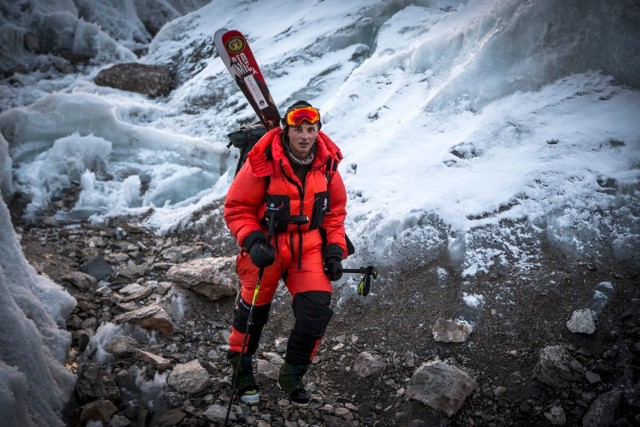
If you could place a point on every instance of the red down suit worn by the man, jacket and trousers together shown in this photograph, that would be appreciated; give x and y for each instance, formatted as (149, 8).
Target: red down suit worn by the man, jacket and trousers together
(266, 186)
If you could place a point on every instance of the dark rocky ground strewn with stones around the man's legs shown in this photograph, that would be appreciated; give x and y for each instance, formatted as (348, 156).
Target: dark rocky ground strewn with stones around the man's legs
(112, 270)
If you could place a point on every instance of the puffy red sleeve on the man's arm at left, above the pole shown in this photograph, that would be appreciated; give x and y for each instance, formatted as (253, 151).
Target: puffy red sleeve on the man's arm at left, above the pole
(243, 202)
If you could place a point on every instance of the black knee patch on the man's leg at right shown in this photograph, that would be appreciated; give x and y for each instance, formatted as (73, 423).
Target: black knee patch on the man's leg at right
(313, 312)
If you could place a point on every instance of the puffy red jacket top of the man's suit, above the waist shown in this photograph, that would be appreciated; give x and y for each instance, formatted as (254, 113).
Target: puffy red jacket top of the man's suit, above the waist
(267, 180)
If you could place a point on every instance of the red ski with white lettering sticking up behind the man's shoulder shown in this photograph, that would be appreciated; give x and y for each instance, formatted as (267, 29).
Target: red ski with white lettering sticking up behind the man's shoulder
(233, 48)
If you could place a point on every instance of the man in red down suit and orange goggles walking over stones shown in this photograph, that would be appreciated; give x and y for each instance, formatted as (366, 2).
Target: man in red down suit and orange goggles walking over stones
(290, 180)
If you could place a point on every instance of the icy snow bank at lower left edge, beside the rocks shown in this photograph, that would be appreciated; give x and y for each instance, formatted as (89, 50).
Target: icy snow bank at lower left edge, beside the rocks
(34, 383)
